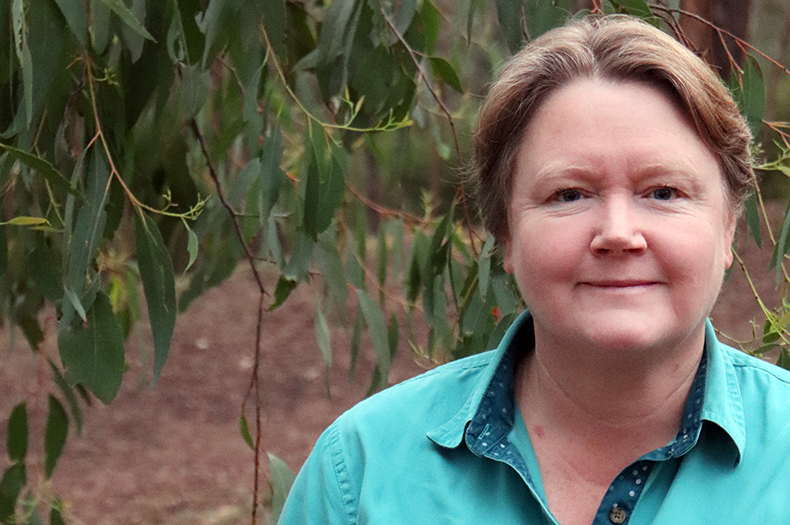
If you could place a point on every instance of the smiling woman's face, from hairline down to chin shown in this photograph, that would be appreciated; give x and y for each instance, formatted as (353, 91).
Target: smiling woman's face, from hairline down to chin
(619, 224)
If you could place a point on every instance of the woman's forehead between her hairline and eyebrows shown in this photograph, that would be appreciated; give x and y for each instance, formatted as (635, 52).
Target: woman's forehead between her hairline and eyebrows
(619, 125)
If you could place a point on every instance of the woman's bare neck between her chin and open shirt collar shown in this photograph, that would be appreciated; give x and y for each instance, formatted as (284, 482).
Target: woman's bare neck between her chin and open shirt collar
(629, 402)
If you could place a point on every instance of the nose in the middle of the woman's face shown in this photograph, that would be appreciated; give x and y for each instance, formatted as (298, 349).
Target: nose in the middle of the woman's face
(618, 229)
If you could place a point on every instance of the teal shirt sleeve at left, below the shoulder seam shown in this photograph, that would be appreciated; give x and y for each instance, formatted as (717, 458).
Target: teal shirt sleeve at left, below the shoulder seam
(321, 492)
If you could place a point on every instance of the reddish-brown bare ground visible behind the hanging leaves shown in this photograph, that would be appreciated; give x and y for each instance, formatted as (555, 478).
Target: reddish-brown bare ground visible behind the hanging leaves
(174, 454)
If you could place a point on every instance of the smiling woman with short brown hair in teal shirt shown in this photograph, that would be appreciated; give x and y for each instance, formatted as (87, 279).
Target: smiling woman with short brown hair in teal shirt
(611, 166)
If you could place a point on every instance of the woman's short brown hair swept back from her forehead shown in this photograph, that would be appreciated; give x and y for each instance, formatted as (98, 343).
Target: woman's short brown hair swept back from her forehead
(619, 48)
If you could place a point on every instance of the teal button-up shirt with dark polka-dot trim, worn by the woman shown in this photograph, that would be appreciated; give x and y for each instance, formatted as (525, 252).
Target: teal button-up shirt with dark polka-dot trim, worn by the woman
(449, 446)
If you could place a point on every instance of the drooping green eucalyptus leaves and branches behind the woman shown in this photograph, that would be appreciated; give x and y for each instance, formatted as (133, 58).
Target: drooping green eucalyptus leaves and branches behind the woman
(155, 142)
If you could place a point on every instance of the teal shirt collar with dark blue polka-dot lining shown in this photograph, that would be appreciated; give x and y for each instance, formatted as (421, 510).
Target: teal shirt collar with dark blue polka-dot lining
(487, 416)
